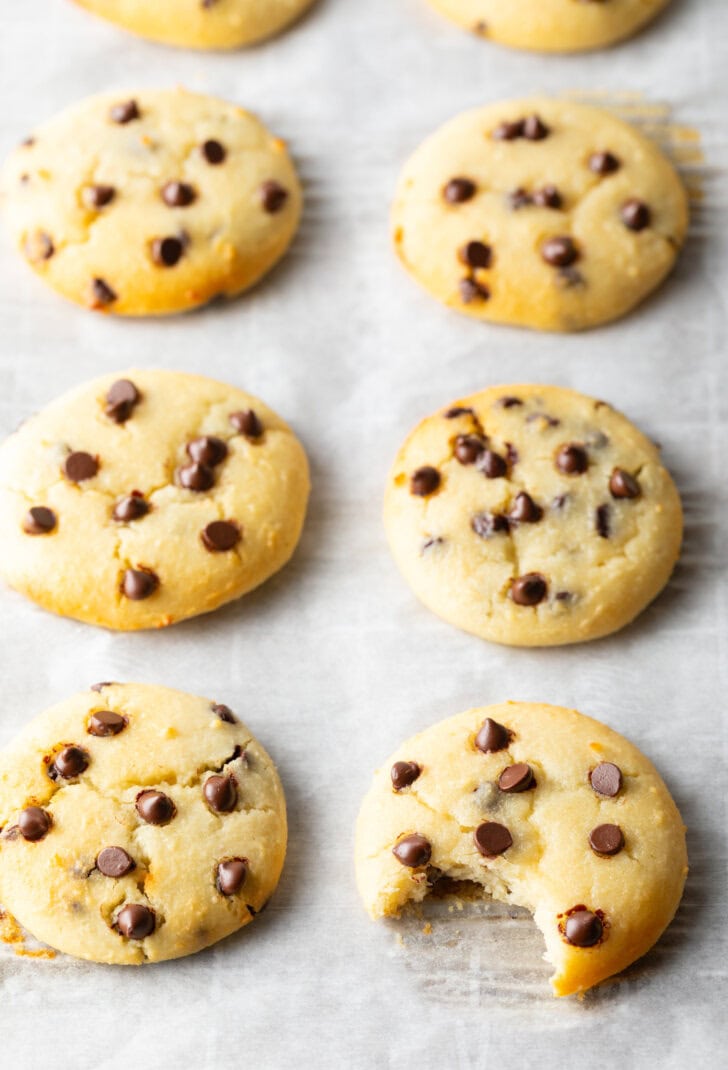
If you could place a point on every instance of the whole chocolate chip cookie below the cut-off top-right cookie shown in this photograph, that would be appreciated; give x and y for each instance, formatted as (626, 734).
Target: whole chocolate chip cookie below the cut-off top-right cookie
(539, 213)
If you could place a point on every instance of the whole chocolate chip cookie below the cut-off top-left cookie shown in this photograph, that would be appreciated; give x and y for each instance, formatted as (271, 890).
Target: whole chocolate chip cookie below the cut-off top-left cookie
(151, 203)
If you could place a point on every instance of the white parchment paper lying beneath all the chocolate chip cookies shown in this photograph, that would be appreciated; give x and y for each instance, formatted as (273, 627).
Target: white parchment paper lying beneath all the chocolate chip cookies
(333, 663)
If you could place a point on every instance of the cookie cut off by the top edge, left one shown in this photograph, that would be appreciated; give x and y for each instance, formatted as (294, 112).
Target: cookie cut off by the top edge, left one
(201, 24)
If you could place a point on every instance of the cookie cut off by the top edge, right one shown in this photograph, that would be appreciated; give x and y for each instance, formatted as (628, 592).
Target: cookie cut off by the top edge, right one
(553, 26)
